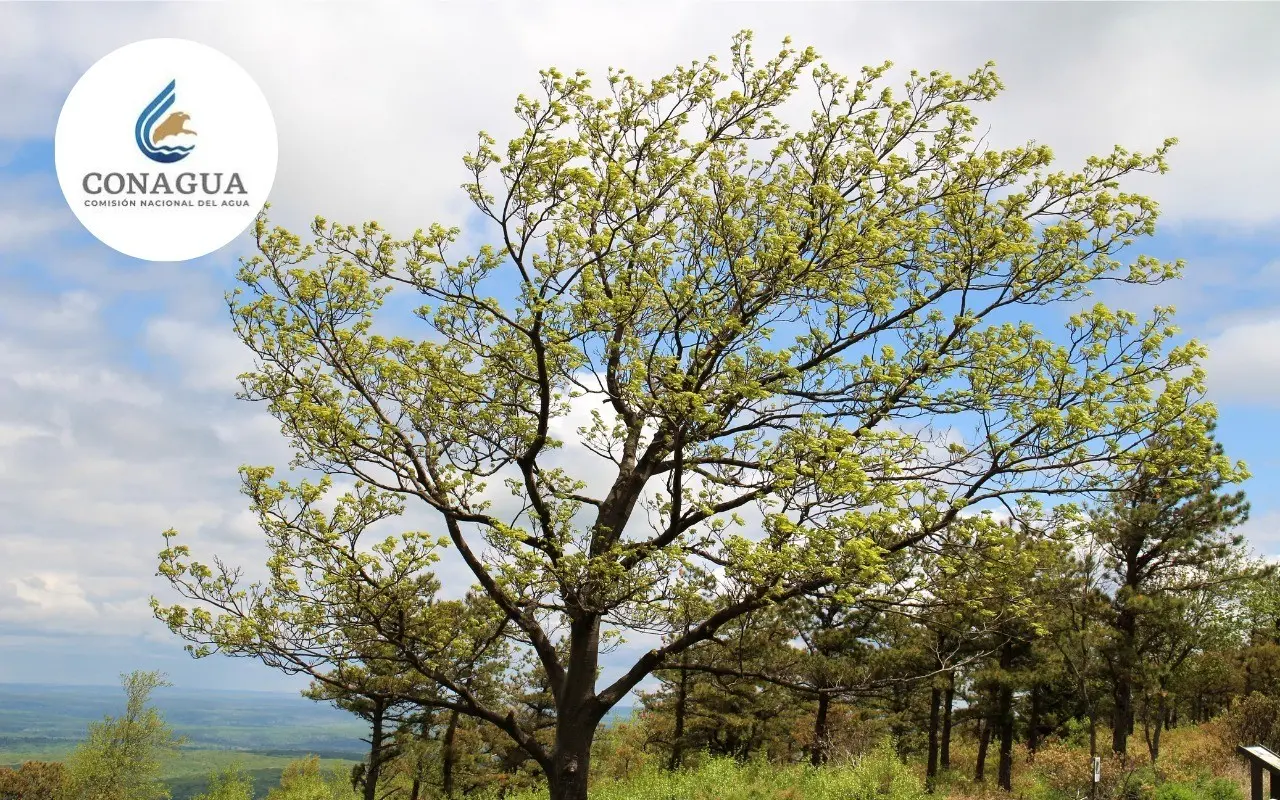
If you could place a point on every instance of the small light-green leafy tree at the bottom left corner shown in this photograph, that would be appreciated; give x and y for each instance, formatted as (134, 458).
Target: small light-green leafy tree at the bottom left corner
(124, 757)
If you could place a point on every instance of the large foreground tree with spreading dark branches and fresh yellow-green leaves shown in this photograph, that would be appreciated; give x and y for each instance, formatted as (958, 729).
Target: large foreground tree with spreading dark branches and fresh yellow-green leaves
(757, 318)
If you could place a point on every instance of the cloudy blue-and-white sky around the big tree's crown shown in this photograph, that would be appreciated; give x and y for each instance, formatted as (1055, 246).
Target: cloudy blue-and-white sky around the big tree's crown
(117, 377)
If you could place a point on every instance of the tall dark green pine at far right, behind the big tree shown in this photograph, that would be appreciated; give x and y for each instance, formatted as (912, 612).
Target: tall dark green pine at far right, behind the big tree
(1171, 546)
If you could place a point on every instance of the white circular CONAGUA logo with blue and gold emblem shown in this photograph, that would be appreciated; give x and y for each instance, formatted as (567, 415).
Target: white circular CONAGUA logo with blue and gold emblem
(166, 150)
